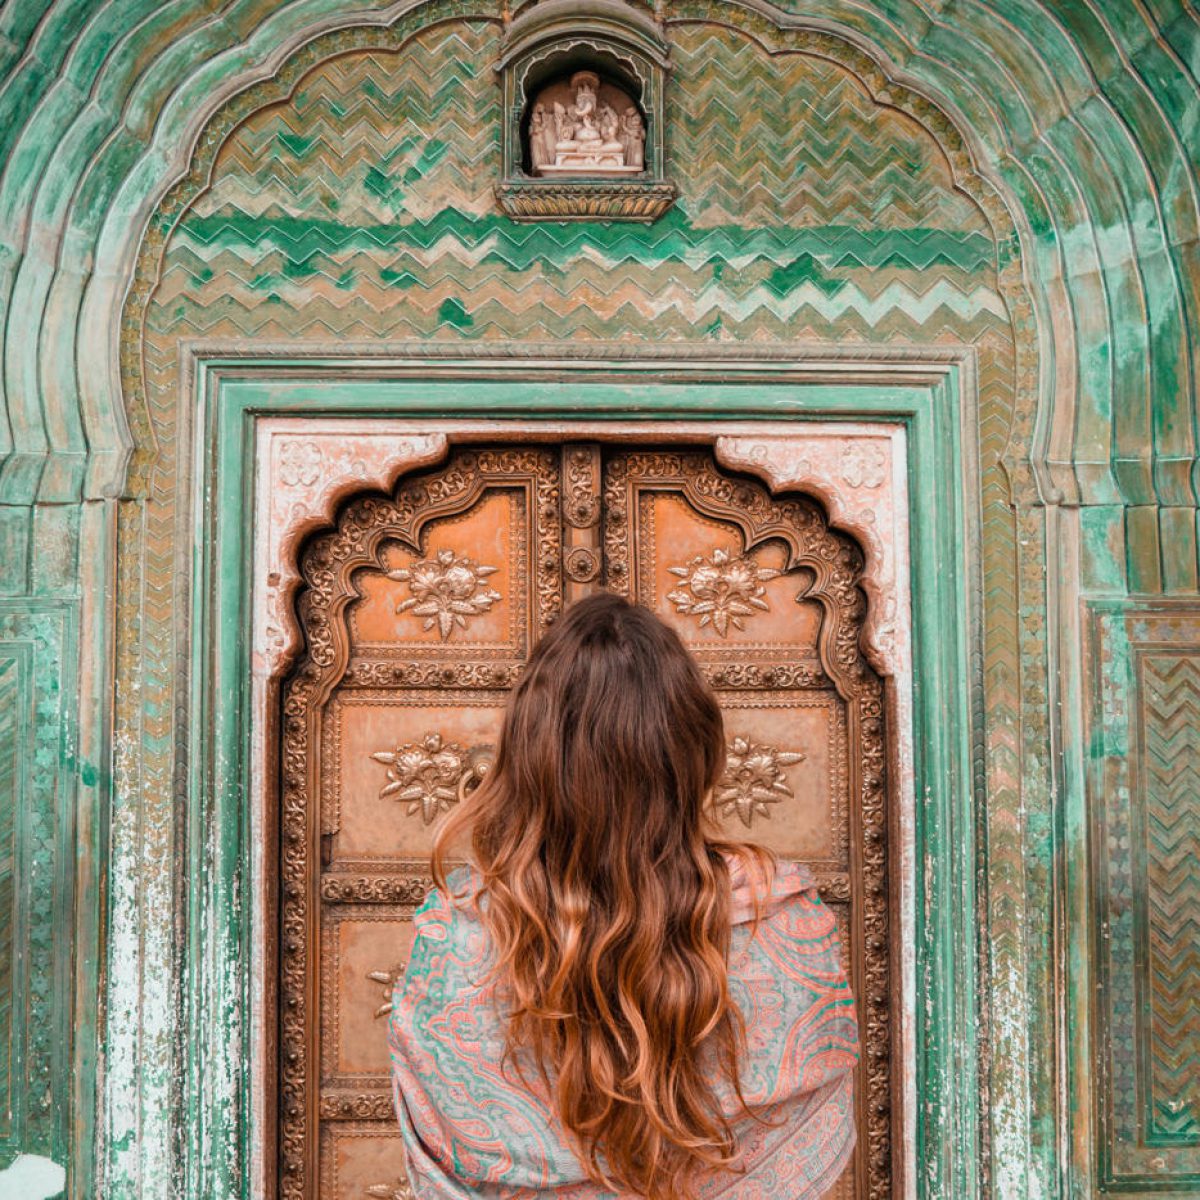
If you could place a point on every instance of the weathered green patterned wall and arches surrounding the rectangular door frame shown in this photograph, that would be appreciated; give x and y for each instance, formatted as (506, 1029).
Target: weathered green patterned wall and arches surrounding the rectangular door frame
(1018, 178)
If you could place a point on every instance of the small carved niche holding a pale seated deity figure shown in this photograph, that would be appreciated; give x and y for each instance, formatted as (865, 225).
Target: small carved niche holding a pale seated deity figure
(583, 135)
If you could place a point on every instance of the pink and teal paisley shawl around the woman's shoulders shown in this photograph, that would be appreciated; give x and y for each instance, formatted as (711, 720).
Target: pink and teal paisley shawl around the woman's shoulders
(475, 1130)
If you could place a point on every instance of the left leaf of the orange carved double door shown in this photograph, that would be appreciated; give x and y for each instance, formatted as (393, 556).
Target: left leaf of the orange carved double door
(419, 610)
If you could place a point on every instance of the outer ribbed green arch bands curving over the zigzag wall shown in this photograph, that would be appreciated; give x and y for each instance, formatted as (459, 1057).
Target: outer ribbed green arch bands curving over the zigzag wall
(1083, 119)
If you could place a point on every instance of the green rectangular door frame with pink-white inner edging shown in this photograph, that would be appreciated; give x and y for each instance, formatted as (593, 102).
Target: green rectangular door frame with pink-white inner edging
(683, 394)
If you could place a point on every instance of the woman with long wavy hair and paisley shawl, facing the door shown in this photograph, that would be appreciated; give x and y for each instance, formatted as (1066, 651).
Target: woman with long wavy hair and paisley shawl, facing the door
(613, 1001)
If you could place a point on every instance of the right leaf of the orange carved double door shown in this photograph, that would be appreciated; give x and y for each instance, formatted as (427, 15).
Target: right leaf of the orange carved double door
(766, 597)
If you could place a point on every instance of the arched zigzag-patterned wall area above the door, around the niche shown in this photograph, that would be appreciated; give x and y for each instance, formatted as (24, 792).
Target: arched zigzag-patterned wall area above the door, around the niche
(363, 208)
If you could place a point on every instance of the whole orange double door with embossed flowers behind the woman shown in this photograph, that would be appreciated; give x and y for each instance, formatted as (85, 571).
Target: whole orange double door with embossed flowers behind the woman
(419, 610)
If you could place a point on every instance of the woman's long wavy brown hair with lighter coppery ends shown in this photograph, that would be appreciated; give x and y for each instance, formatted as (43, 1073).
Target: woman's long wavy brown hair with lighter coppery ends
(605, 889)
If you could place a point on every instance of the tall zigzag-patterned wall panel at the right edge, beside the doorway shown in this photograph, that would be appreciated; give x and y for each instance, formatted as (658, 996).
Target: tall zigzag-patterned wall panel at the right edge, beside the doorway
(1145, 721)
